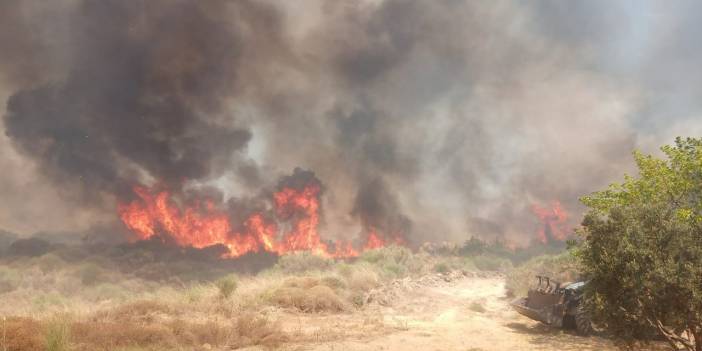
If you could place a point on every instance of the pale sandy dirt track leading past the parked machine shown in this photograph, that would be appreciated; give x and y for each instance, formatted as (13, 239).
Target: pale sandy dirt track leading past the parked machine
(468, 314)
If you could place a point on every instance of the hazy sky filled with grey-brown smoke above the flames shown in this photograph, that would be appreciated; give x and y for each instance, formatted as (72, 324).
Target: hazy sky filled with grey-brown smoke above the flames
(442, 119)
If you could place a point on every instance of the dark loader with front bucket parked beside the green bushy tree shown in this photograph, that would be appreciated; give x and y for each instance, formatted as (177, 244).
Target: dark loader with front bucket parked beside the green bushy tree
(555, 304)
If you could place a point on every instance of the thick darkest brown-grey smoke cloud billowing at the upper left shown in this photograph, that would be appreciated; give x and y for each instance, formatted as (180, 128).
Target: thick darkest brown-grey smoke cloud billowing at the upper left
(145, 91)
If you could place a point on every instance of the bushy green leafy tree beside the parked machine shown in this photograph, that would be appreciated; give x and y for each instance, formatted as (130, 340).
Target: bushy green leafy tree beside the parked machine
(642, 249)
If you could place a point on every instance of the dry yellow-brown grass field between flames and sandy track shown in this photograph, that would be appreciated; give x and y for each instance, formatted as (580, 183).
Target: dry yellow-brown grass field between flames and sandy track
(136, 314)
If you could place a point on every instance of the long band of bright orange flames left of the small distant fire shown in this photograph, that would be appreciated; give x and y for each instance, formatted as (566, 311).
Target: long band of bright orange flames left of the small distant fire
(292, 227)
